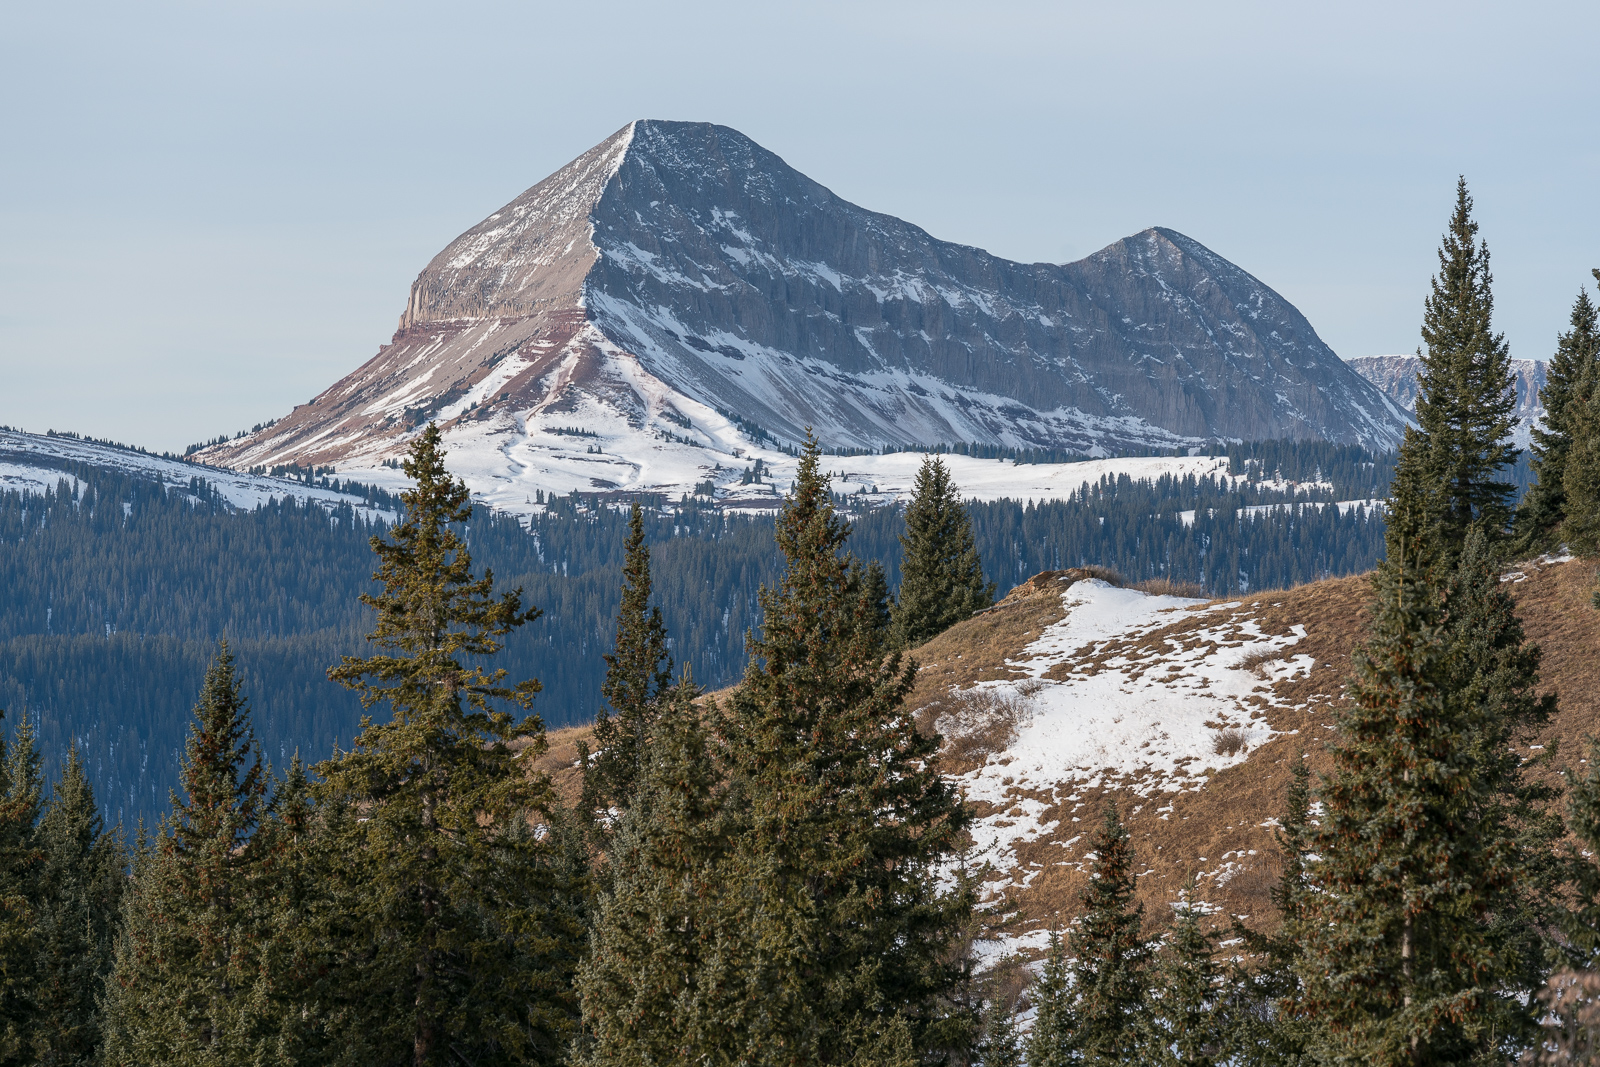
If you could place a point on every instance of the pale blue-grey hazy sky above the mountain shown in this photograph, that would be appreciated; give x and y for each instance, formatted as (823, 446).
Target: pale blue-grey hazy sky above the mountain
(212, 212)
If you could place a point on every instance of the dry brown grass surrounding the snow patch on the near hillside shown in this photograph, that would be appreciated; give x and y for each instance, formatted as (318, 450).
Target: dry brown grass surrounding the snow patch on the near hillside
(1177, 836)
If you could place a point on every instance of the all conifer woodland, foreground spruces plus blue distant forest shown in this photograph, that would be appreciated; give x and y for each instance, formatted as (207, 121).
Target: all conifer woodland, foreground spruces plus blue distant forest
(266, 791)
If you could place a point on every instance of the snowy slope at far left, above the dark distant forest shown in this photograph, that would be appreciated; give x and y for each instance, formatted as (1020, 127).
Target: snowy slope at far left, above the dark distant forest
(31, 462)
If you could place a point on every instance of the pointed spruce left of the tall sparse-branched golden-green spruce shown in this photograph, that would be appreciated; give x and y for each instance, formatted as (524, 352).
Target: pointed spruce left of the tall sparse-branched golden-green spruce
(191, 978)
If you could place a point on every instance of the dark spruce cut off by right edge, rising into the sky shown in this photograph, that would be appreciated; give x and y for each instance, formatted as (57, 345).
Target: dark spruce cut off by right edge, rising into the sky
(1567, 388)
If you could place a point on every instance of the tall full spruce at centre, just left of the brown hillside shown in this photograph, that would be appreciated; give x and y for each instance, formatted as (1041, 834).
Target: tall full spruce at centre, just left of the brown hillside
(844, 821)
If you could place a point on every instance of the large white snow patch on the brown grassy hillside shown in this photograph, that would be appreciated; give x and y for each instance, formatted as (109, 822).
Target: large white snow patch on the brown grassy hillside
(1132, 690)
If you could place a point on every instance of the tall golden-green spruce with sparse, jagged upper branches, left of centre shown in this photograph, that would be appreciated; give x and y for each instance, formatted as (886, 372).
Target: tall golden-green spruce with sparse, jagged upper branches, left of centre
(458, 951)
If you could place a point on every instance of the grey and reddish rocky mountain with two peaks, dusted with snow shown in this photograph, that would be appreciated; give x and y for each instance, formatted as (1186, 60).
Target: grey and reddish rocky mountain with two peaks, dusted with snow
(681, 265)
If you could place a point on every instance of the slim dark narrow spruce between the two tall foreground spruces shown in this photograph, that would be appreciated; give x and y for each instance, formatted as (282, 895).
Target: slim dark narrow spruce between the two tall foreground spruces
(639, 671)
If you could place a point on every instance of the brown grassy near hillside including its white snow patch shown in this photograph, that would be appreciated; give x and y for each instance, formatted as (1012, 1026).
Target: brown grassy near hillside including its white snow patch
(1073, 693)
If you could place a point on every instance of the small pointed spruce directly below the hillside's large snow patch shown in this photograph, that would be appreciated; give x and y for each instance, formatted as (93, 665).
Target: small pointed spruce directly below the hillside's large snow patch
(1103, 1012)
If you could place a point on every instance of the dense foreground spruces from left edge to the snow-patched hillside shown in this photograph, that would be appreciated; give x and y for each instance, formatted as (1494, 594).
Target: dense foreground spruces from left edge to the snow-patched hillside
(761, 877)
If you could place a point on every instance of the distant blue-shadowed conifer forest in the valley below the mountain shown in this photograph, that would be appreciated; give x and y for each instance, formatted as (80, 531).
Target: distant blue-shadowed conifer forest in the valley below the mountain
(118, 591)
